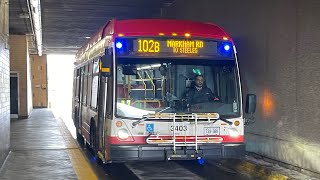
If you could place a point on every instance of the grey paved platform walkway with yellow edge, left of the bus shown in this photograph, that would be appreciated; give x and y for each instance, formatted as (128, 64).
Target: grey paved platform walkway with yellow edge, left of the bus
(42, 148)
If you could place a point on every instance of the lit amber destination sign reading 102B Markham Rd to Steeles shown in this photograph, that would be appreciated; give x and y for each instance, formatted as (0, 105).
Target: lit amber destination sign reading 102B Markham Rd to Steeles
(174, 47)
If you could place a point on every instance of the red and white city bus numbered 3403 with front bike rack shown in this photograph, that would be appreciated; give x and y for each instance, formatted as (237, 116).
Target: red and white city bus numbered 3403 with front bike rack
(131, 85)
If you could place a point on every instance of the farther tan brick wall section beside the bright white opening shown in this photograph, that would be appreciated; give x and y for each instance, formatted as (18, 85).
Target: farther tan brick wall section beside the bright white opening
(39, 80)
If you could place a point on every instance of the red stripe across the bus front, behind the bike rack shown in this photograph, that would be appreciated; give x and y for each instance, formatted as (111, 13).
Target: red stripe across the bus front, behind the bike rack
(142, 139)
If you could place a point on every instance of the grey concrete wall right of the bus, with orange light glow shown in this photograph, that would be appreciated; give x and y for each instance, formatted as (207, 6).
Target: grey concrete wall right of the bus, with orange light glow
(278, 43)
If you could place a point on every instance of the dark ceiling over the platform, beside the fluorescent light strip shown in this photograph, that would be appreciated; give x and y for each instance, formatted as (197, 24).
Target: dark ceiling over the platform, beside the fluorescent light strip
(67, 23)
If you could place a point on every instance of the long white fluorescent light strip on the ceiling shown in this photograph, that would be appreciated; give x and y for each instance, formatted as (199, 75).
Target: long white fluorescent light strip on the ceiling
(36, 21)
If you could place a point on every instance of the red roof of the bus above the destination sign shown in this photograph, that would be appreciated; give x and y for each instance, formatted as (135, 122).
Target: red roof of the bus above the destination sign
(153, 27)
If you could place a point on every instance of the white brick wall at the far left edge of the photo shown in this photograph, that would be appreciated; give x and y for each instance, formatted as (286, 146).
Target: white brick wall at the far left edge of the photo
(4, 82)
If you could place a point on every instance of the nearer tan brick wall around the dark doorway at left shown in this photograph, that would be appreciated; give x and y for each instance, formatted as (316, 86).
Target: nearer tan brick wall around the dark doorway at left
(19, 62)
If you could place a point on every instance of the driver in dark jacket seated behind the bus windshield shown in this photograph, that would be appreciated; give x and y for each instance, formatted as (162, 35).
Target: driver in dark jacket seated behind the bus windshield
(200, 93)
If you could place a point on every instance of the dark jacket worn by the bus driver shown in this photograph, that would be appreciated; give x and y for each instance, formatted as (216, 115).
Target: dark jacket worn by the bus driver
(195, 96)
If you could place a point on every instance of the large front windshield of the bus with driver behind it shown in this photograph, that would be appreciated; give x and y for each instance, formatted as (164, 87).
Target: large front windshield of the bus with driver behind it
(176, 86)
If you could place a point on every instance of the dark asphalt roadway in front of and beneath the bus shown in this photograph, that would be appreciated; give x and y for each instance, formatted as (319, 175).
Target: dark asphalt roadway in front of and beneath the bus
(164, 170)
